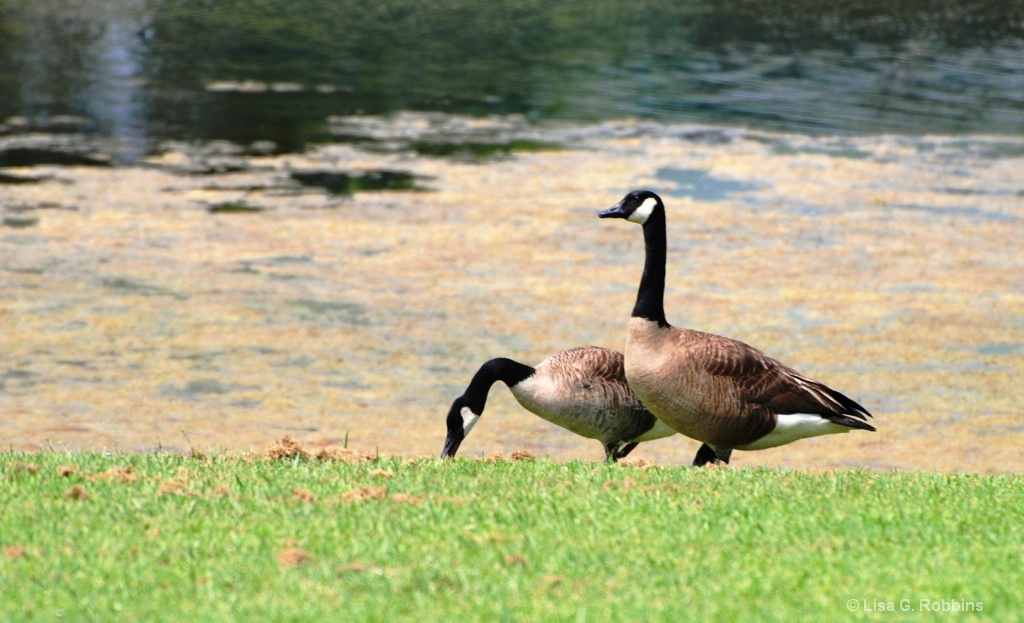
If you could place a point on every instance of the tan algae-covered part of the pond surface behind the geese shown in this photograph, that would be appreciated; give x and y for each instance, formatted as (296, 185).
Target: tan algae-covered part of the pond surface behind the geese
(223, 305)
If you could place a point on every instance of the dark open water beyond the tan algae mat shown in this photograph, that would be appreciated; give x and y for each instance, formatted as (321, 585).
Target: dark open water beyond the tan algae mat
(146, 71)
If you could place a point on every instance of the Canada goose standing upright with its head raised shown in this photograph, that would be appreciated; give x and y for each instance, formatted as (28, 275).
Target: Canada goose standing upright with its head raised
(713, 389)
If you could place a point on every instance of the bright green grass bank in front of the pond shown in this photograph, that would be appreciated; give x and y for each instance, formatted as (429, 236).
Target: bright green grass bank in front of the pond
(223, 538)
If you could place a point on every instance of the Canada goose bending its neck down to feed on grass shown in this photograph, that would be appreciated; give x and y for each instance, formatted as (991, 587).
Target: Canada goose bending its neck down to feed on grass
(583, 390)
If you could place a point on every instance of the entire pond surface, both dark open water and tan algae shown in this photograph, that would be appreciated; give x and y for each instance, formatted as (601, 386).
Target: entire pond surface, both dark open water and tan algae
(226, 222)
